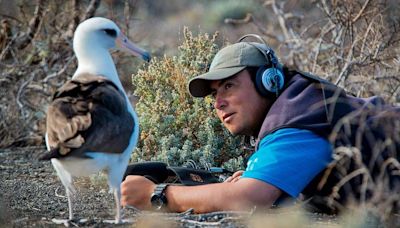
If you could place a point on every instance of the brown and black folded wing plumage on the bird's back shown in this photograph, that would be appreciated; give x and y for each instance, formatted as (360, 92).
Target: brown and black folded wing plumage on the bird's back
(88, 113)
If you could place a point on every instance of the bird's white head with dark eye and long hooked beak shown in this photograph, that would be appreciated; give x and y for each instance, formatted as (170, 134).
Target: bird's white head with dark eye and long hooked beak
(102, 33)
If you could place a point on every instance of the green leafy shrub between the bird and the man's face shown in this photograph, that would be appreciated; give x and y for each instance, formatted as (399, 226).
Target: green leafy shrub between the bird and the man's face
(176, 127)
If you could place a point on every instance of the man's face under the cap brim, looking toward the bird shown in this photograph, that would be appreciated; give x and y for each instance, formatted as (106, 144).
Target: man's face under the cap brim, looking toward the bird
(239, 106)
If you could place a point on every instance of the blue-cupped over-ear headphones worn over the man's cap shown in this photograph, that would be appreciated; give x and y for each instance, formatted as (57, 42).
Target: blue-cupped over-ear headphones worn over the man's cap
(269, 78)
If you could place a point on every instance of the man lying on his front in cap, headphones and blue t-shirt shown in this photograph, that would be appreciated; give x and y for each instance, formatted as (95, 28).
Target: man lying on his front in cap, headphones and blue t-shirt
(291, 115)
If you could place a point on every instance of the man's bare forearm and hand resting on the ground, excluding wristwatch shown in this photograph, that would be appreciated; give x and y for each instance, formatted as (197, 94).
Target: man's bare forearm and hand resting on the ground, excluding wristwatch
(240, 195)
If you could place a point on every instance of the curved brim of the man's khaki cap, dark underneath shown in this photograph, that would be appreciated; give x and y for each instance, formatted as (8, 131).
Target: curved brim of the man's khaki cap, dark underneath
(200, 86)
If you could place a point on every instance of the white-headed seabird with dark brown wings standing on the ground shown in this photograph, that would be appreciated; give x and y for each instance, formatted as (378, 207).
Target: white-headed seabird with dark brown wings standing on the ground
(90, 124)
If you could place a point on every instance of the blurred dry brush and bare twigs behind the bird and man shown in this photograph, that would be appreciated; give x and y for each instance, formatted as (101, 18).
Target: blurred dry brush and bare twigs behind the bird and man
(354, 44)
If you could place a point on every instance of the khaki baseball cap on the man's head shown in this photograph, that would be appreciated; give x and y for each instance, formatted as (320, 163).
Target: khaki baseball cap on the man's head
(227, 62)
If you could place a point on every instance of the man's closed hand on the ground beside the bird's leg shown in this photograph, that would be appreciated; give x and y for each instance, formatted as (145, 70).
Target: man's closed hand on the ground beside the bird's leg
(136, 191)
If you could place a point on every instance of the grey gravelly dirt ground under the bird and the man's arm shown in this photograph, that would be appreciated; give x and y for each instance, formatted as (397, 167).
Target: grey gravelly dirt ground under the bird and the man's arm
(32, 195)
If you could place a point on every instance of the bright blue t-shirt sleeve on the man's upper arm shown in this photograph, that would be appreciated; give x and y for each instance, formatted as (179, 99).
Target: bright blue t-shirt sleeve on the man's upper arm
(289, 159)
